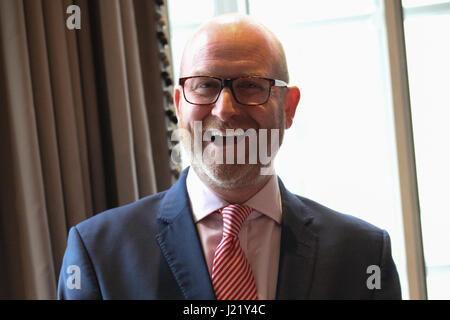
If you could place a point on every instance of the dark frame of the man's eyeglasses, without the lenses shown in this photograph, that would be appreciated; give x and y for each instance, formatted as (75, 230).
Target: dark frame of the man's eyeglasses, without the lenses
(229, 84)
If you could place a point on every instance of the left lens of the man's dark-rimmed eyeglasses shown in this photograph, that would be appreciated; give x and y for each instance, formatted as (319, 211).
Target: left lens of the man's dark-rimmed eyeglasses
(201, 90)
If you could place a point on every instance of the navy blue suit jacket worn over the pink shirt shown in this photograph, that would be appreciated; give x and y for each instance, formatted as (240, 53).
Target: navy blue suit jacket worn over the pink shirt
(150, 249)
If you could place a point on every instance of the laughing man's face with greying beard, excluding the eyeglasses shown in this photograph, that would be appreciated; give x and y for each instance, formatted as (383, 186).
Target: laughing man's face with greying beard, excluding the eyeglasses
(228, 54)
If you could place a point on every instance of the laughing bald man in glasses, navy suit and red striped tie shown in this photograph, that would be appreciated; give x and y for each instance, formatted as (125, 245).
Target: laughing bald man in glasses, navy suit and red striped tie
(228, 229)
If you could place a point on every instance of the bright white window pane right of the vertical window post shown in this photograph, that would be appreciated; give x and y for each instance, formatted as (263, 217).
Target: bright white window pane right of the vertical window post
(428, 51)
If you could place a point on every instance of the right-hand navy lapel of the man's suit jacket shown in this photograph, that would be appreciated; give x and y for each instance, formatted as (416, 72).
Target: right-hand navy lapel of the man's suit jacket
(297, 249)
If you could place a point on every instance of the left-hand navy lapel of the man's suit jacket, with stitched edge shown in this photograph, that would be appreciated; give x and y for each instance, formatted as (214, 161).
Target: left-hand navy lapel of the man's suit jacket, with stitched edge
(180, 244)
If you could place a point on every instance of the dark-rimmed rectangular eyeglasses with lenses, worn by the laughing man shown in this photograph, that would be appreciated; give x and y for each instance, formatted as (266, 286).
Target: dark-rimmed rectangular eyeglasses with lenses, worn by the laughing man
(249, 91)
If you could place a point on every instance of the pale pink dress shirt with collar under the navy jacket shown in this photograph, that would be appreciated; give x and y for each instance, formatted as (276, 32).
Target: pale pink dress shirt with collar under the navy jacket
(259, 236)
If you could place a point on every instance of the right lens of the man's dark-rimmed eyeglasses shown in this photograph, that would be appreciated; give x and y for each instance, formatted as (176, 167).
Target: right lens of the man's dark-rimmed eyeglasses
(252, 90)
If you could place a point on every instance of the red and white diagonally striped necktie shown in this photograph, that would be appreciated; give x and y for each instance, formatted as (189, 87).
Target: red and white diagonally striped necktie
(232, 276)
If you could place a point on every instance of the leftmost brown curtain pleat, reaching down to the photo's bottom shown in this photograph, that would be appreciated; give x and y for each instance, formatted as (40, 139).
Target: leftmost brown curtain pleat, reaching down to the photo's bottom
(29, 248)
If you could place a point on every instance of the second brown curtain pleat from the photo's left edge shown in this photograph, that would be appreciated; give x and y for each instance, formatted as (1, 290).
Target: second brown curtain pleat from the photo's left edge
(46, 127)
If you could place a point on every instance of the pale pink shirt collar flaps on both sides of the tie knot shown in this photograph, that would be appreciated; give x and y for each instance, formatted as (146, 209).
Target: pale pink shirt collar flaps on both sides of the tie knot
(266, 201)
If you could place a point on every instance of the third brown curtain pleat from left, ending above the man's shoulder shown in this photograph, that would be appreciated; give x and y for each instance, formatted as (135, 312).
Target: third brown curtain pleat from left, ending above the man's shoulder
(63, 101)
